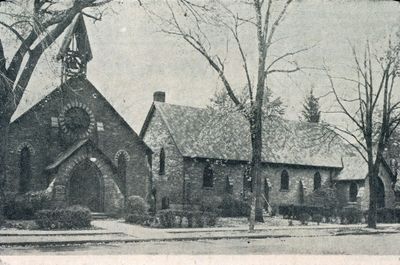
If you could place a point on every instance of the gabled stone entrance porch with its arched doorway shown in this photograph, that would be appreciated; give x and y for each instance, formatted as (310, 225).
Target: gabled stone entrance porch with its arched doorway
(83, 175)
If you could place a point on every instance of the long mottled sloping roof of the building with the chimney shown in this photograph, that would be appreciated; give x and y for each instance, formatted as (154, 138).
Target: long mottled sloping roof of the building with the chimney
(206, 133)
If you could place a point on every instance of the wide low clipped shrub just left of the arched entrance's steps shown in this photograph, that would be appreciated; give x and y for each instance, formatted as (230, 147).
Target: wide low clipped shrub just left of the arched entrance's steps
(72, 217)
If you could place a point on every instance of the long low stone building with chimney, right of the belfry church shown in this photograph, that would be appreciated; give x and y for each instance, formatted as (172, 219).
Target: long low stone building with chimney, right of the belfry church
(202, 152)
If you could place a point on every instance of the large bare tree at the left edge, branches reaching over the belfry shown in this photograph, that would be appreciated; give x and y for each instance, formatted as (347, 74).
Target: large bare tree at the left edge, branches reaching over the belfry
(36, 24)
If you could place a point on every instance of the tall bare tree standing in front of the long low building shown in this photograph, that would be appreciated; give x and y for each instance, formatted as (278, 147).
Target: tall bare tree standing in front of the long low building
(196, 21)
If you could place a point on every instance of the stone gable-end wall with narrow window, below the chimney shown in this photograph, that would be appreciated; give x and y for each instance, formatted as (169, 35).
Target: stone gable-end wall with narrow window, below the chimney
(170, 184)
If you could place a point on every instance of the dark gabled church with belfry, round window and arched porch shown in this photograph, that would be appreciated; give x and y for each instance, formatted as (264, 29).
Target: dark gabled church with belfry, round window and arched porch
(74, 144)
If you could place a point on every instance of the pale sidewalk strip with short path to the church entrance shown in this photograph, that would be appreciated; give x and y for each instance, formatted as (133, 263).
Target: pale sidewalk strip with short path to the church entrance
(111, 230)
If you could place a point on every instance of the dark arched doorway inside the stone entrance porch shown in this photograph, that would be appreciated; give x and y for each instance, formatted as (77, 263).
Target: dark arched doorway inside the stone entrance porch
(86, 187)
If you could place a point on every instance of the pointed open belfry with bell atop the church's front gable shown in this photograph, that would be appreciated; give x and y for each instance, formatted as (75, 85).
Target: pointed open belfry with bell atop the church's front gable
(75, 51)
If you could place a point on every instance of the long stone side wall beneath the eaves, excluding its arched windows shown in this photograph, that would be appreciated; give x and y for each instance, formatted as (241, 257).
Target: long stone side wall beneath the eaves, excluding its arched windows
(194, 175)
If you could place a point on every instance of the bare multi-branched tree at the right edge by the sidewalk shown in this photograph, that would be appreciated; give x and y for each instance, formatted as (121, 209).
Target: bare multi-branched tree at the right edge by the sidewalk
(373, 110)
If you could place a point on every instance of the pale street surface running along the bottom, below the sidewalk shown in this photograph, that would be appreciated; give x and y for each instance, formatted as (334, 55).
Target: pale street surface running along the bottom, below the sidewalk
(381, 244)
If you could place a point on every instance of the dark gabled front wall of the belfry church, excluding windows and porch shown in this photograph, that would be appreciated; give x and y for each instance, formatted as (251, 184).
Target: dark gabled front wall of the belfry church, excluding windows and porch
(35, 128)
